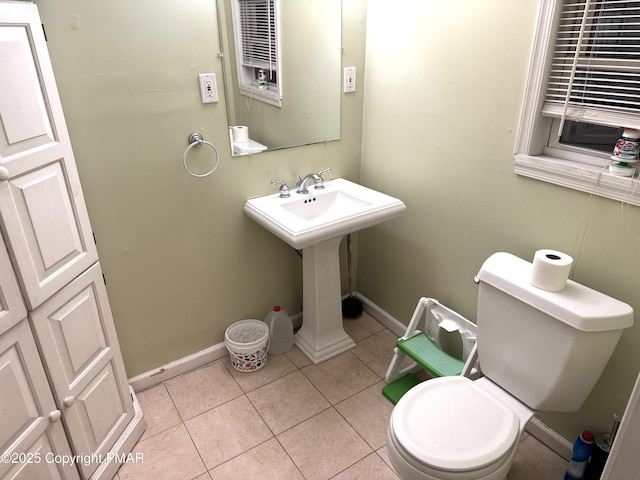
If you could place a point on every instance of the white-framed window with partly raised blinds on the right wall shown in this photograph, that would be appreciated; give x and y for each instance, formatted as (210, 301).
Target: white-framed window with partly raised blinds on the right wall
(583, 86)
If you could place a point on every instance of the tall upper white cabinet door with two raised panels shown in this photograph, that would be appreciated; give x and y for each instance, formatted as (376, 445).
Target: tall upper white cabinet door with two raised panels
(44, 217)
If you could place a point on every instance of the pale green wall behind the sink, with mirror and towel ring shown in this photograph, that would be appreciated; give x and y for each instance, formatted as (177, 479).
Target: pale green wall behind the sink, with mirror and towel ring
(182, 260)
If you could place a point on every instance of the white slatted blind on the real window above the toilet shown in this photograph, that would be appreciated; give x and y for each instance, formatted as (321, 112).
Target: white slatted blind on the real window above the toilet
(595, 67)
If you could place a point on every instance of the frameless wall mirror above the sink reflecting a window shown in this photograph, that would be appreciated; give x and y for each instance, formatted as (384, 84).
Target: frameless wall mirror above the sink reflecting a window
(284, 89)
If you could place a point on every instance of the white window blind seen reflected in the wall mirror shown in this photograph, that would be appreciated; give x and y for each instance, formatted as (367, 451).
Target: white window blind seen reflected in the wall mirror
(258, 33)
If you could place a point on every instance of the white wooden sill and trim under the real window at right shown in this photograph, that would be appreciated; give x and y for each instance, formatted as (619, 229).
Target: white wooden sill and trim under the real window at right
(579, 176)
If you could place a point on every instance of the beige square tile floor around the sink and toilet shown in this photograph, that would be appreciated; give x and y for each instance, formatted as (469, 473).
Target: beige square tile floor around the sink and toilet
(289, 420)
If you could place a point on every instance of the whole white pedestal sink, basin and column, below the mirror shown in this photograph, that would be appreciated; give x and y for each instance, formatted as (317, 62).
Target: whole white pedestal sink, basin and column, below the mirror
(315, 223)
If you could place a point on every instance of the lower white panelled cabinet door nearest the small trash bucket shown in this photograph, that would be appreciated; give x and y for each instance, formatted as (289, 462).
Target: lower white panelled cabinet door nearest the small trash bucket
(80, 351)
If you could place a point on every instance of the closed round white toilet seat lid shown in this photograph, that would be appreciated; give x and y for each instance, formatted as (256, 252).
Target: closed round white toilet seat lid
(452, 424)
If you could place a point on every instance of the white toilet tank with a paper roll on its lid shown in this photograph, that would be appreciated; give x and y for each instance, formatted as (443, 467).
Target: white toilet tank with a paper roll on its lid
(547, 349)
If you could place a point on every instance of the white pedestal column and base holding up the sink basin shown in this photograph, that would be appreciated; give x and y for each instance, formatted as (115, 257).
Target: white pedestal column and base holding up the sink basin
(322, 335)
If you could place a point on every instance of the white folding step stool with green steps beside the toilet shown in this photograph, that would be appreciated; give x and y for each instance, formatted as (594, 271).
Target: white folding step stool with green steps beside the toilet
(422, 349)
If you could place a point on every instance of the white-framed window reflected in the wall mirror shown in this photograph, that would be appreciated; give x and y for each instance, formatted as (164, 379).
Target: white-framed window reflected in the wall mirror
(256, 33)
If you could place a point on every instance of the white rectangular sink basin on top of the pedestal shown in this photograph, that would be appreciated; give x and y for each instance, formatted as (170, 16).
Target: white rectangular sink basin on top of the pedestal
(341, 207)
